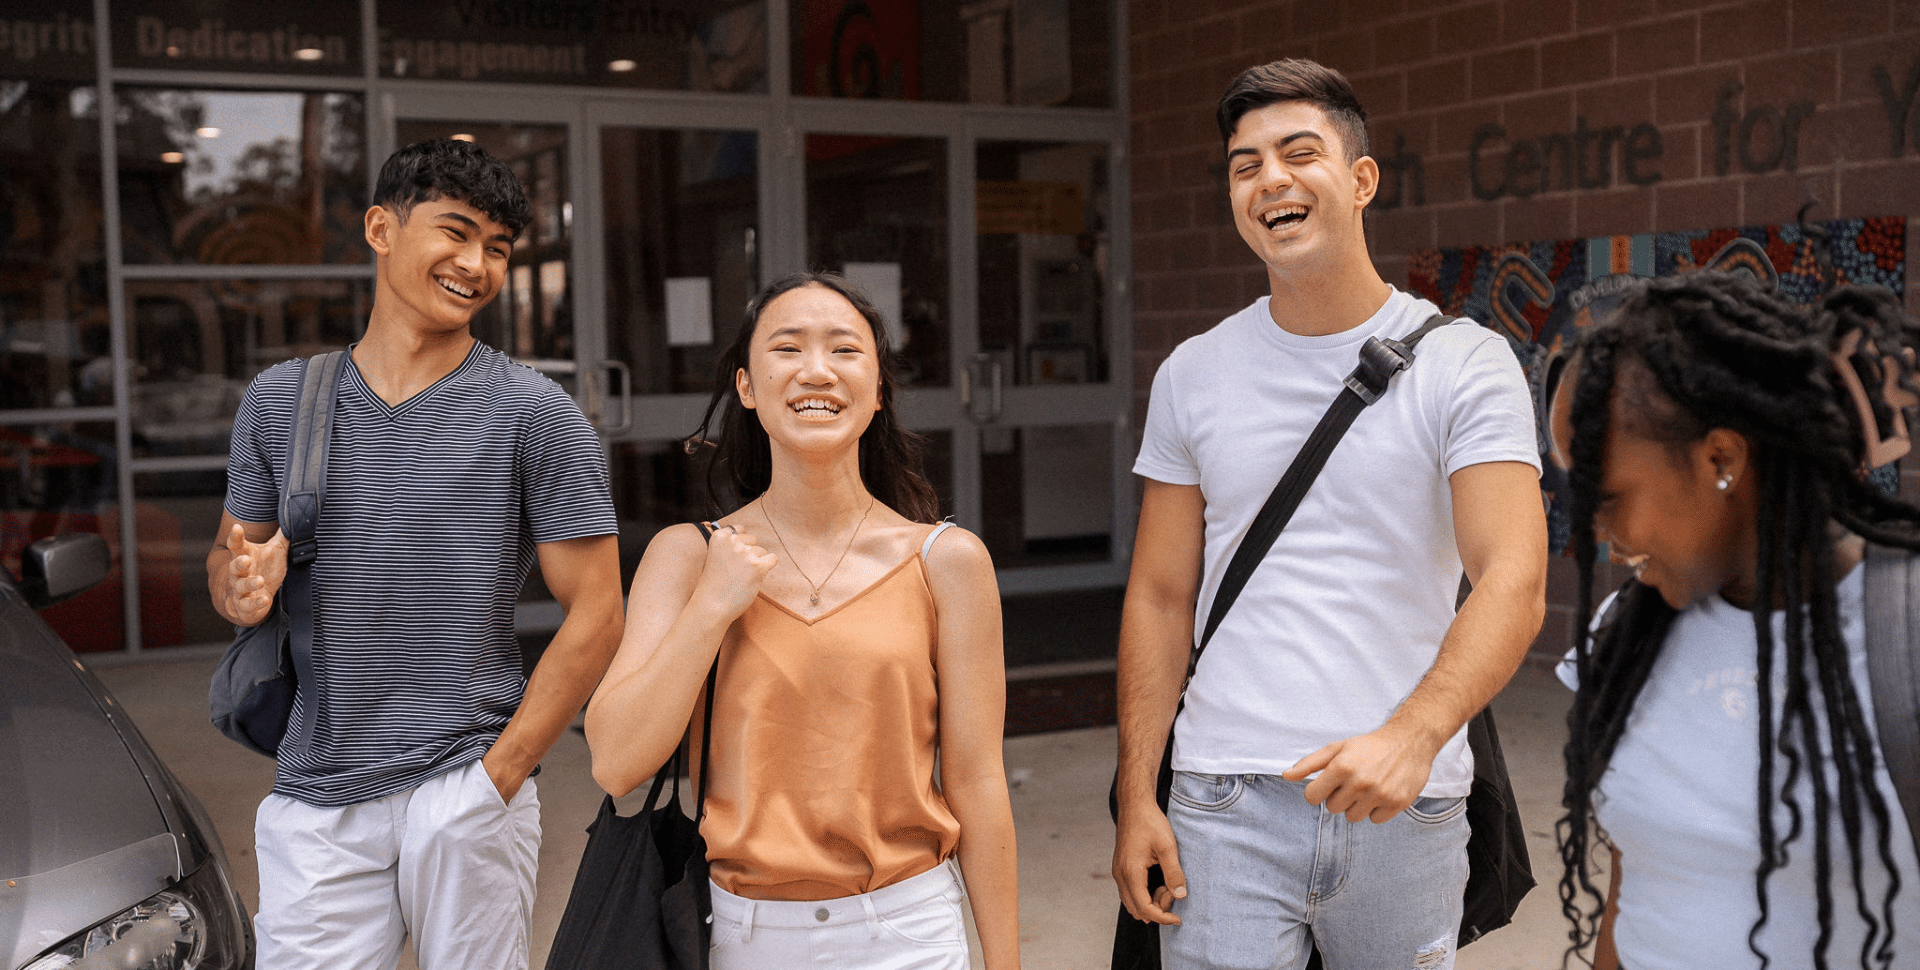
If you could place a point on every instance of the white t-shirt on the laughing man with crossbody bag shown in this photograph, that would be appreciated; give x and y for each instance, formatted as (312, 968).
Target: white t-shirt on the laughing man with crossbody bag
(1347, 612)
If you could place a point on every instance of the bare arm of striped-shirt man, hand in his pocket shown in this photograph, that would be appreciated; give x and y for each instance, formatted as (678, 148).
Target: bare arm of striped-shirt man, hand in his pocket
(585, 577)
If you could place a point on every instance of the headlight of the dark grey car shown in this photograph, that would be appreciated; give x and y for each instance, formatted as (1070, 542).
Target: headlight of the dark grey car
(185, 927)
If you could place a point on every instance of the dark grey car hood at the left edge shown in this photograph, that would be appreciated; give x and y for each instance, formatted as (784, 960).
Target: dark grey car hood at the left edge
(80, 827)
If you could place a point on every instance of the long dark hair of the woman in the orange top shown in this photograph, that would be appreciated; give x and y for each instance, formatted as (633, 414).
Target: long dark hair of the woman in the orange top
(890, 452)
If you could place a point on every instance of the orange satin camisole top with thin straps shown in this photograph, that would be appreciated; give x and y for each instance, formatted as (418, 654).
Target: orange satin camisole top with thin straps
(825, 746)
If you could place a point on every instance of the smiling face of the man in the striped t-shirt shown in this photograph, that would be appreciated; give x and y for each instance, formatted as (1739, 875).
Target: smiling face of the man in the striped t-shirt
(439, 264)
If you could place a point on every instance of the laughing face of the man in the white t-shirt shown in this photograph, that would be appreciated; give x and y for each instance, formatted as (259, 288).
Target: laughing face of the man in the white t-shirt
(1297, 197)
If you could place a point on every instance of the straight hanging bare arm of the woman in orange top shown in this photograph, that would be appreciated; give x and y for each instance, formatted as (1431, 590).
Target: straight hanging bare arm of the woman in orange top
(972, 694)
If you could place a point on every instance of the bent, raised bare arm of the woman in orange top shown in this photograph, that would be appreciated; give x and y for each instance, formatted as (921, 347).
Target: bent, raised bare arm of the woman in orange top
(686, 594)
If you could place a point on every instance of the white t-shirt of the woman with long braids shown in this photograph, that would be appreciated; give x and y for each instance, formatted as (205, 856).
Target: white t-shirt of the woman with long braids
(1679, 802)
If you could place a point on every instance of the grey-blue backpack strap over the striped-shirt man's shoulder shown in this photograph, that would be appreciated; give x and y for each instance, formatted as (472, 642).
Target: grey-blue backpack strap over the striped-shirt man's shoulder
(302, 487)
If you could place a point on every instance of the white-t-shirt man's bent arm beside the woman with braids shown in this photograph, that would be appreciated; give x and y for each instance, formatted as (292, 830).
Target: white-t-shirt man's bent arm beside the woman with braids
(1502, 535)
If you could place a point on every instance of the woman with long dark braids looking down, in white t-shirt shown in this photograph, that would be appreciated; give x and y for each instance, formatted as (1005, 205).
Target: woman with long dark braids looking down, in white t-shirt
(1721, 739)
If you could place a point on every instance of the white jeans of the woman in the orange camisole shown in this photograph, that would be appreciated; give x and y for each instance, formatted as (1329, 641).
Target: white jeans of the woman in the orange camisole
(913, 925)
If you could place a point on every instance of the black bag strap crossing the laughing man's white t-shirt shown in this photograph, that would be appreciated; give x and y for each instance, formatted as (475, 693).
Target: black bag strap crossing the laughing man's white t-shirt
(1380, 362)
